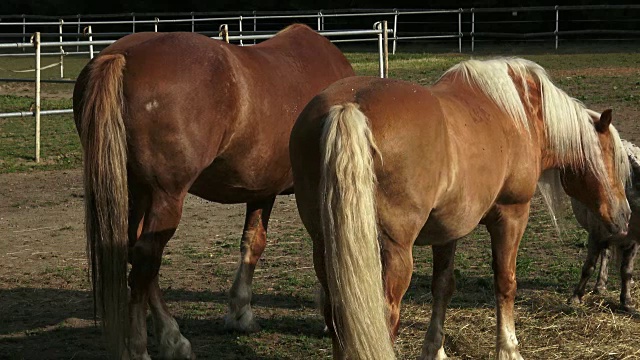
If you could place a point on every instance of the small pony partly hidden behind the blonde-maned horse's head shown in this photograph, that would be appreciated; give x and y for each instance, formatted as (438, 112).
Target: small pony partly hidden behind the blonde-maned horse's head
(599, 240)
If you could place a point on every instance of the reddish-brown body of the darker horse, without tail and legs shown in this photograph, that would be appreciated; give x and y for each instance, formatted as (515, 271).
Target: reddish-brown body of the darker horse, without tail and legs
(214, 117)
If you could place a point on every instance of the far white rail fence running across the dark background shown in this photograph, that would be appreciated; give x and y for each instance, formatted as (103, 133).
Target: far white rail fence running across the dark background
(552, 23)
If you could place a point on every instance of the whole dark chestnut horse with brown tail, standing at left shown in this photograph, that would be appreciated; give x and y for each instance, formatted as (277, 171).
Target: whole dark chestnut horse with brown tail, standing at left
(163, 115)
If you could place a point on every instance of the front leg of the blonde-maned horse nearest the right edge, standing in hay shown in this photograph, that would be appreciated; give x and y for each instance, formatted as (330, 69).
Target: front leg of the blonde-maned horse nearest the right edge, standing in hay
(506, 224)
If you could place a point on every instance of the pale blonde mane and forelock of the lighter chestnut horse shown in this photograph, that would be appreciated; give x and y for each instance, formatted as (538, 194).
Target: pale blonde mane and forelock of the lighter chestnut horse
(570, 132)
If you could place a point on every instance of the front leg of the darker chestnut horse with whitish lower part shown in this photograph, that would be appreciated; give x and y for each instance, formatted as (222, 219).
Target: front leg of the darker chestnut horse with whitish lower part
(254, 240)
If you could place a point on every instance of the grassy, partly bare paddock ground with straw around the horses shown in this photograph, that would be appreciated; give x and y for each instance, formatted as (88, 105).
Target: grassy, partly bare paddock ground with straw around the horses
(197, 272)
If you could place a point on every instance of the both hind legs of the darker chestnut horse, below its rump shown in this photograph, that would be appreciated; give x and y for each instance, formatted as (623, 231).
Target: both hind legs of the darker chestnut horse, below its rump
(160, 222)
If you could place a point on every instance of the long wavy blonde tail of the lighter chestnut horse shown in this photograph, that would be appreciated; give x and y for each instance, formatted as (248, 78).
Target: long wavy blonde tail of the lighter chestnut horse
(352, 250)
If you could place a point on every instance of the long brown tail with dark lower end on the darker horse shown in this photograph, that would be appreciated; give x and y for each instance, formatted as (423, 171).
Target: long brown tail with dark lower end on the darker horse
(103, 137)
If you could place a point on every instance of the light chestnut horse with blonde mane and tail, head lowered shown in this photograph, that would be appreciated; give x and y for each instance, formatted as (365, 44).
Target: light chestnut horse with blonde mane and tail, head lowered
(380, 165)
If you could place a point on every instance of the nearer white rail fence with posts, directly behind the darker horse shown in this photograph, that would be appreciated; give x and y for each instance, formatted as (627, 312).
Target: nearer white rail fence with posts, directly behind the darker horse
(379, 33)
